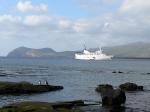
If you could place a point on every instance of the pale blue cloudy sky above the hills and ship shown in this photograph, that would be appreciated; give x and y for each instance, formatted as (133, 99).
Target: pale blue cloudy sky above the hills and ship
(68, 24)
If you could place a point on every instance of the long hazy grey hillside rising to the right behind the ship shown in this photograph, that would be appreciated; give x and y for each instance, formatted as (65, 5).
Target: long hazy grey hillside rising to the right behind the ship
(133, 50)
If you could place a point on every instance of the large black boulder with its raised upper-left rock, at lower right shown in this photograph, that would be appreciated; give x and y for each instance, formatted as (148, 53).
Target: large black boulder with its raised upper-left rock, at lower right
(110, 96)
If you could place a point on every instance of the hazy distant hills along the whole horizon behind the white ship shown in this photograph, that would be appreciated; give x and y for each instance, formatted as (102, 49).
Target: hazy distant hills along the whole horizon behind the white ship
(133, 50)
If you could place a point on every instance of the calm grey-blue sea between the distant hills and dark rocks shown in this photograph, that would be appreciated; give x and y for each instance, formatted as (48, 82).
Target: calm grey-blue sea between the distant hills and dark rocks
(79, 78)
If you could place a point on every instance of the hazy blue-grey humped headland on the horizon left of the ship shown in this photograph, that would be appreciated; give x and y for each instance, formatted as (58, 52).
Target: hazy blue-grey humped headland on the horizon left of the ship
(23, 52)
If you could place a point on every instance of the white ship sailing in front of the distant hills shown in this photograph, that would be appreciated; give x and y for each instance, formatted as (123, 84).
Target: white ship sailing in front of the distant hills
(97, 55)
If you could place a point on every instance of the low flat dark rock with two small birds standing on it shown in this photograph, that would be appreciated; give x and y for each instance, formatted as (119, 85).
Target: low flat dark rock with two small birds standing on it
(25, 88)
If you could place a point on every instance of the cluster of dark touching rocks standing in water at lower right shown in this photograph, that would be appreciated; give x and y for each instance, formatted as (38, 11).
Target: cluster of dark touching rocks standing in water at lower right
(116, 97)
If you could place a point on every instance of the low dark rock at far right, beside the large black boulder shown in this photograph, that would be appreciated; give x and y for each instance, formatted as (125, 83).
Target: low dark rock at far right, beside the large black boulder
(130, 87)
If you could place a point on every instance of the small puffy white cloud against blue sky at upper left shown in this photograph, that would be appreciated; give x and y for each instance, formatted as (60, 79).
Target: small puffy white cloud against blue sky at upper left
(27, 6)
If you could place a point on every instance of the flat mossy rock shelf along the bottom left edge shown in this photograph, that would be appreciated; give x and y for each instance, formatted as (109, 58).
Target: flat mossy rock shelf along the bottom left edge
(43, 107)
